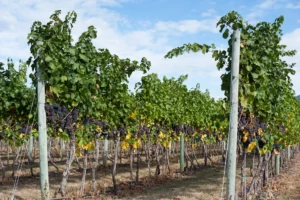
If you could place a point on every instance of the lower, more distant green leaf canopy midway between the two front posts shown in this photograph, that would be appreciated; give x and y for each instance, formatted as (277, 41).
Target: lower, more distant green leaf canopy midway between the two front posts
(168, 102)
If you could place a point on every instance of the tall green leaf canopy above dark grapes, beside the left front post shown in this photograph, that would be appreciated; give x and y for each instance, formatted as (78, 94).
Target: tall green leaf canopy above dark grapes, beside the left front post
(79, 75)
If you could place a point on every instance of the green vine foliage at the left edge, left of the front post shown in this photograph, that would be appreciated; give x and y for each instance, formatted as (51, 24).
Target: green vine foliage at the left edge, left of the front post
(16, 100)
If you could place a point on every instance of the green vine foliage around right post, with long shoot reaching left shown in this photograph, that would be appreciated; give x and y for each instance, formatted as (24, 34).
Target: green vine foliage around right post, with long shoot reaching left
(264, 79)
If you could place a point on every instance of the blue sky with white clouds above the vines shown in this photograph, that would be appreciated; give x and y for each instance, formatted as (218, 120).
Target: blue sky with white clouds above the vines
(150, 28)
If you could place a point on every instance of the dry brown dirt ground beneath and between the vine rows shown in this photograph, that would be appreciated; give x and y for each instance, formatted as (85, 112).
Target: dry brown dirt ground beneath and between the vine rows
(204, 183)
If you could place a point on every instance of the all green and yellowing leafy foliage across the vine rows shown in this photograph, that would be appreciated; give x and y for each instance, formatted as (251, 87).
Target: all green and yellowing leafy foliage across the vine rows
(92, 84)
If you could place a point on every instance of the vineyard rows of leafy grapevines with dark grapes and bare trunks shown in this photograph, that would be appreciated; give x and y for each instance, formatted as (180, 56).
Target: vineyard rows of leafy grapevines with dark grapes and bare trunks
(98, 131)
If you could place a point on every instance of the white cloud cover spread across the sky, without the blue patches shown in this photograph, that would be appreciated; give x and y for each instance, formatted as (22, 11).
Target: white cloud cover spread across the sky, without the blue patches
(151, 41)
